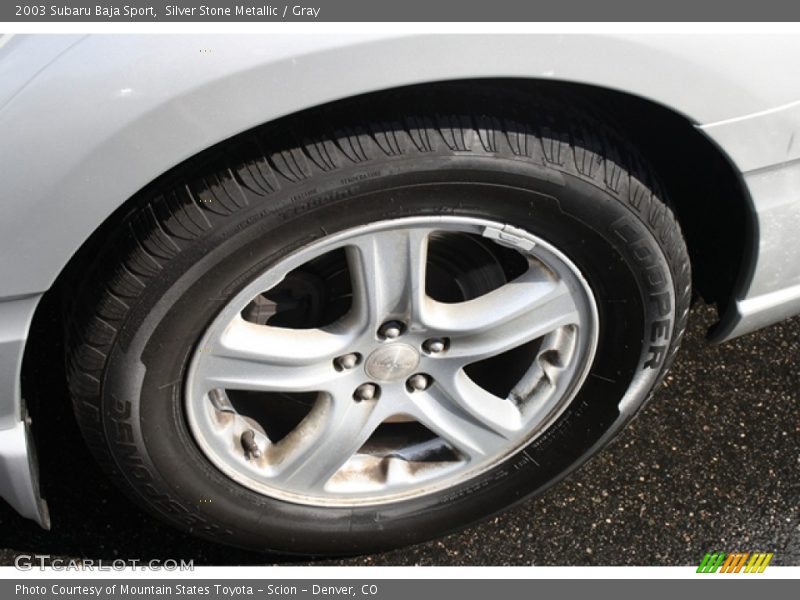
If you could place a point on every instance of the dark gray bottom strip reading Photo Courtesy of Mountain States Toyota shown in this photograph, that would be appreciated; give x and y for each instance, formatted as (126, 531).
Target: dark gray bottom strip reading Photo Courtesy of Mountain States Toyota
(391, 589)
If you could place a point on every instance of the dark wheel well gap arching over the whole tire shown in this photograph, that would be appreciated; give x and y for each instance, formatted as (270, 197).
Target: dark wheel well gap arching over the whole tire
(710, 199)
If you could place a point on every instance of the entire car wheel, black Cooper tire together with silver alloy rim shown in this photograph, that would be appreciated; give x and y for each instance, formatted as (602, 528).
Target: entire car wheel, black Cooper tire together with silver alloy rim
(336, 339)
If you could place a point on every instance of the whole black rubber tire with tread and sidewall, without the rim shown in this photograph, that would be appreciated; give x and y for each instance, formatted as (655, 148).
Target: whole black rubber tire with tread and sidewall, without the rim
(192, 239)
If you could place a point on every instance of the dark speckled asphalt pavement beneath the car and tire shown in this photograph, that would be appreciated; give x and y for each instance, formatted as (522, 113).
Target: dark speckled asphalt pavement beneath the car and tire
(712, 463)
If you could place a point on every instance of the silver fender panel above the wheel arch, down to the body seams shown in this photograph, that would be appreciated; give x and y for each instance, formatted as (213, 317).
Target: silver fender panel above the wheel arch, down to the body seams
(108, 114)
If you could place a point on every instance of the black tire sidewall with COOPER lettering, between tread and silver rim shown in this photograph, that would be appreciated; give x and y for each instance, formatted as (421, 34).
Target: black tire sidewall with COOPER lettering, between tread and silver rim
(612, 244)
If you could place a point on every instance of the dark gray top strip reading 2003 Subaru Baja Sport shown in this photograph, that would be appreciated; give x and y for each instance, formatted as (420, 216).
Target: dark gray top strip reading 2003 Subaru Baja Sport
(148, 11)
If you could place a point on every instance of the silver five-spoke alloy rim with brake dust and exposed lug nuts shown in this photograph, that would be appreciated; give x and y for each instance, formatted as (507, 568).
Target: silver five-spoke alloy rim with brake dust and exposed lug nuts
(392, 408)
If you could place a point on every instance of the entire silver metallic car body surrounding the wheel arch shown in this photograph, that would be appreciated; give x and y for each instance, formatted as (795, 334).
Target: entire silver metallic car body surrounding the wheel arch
(86, 121)
